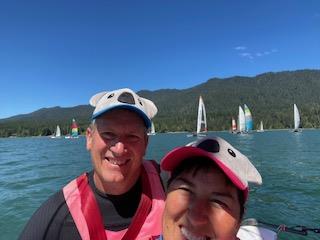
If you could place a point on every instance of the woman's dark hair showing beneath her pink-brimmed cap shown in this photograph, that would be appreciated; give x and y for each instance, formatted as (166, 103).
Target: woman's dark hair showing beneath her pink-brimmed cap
(194, 165)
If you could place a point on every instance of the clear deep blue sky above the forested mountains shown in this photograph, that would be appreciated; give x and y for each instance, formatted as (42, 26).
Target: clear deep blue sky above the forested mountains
(60, 53)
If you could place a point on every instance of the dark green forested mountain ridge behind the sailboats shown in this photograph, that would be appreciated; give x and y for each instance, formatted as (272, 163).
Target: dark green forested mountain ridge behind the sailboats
(270, 97)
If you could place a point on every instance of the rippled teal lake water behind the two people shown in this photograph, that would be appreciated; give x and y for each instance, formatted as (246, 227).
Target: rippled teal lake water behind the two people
(31, 169)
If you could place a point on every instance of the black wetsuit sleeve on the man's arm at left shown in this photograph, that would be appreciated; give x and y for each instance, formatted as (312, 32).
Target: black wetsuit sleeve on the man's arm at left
(47, 221)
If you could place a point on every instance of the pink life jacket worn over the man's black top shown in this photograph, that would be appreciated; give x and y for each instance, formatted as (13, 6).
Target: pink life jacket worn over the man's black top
(86, 214)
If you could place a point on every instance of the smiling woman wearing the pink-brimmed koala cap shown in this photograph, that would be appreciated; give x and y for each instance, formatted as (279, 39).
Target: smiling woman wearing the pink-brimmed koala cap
(207, 190)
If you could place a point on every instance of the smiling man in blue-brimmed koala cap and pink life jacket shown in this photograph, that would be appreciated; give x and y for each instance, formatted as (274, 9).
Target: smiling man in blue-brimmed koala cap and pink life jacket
(115, 200)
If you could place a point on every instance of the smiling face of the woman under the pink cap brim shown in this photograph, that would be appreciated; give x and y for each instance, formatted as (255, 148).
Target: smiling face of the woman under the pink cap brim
(201, 205)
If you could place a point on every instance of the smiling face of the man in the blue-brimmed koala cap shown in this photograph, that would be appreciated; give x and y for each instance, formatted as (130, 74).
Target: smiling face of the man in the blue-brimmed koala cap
(117, 144)
